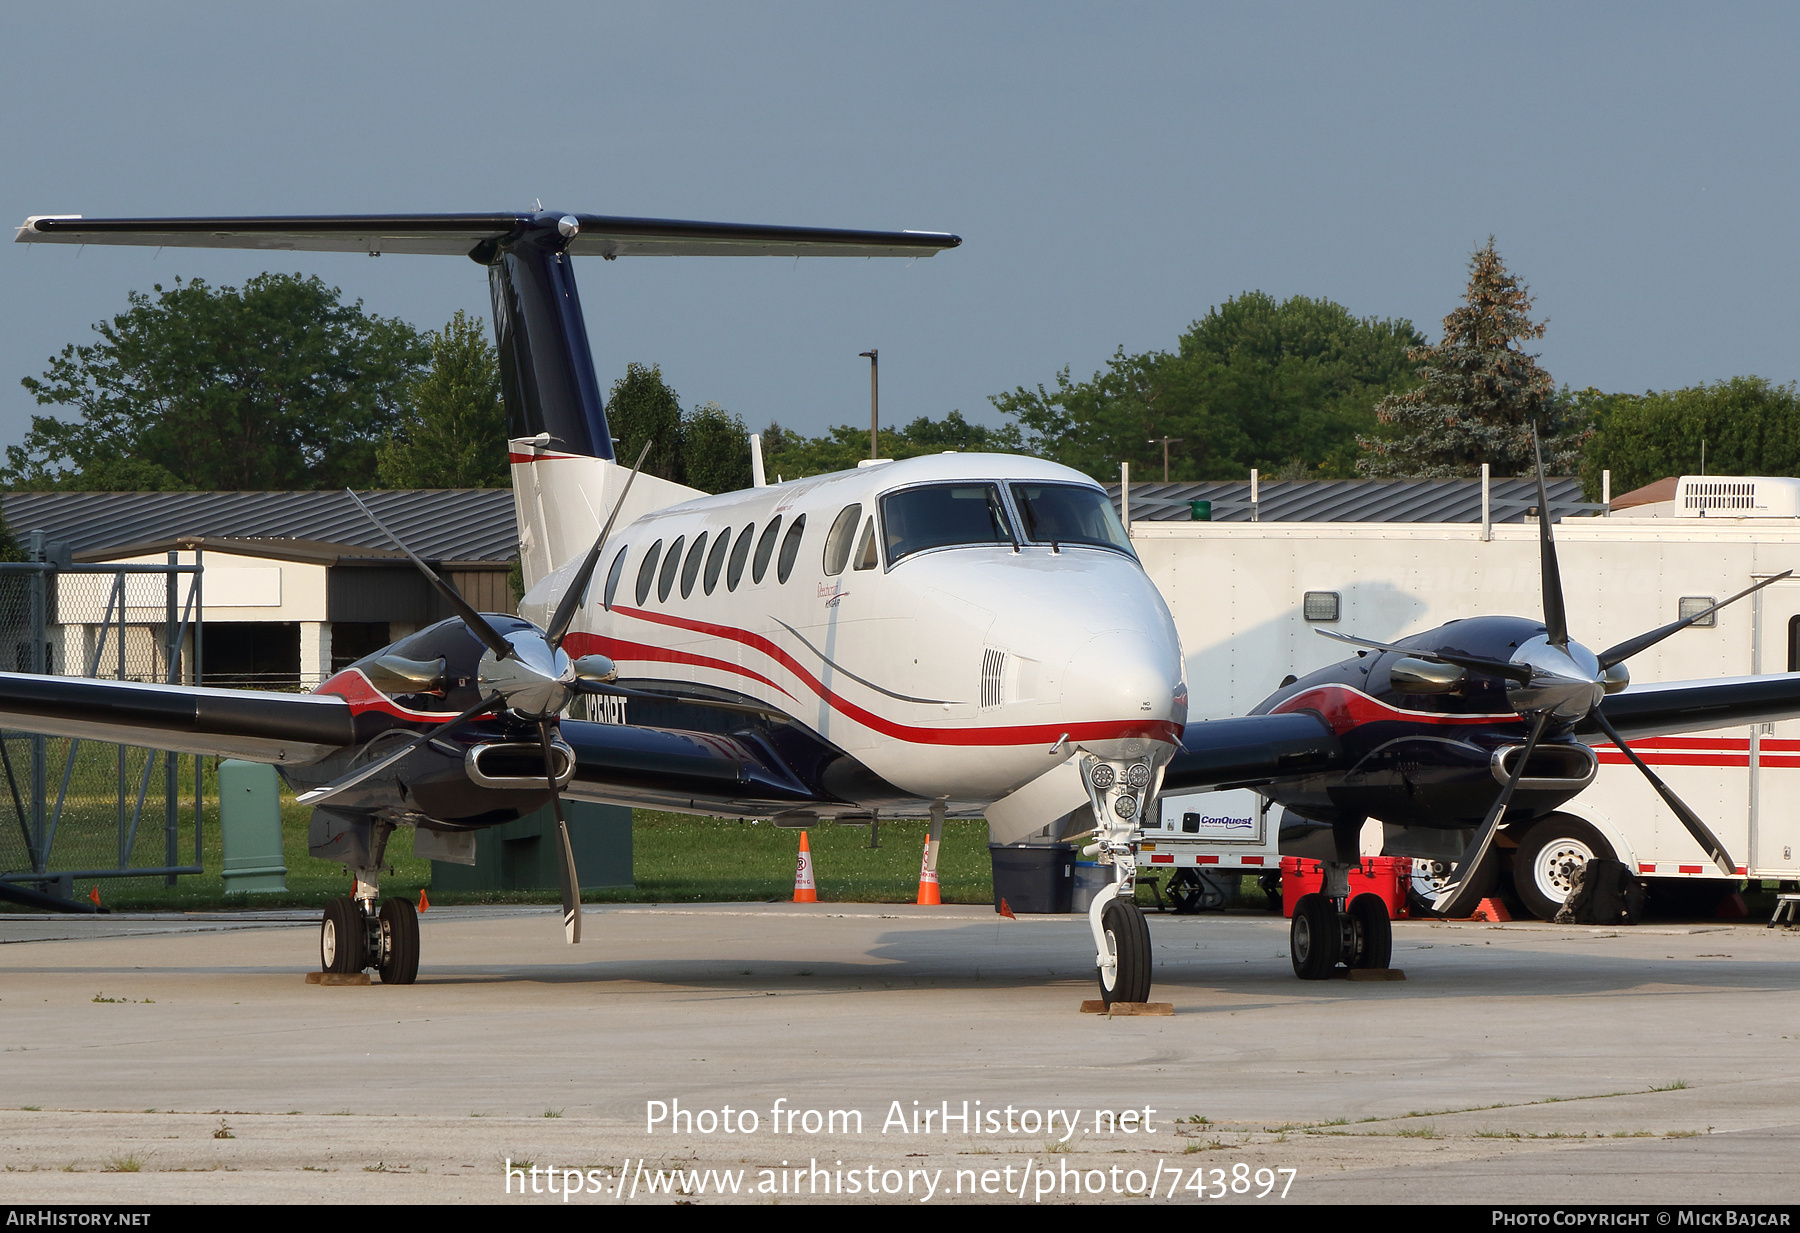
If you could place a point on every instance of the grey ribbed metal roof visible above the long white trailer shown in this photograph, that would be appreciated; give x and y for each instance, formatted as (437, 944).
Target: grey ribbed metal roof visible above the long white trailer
(1356, 499)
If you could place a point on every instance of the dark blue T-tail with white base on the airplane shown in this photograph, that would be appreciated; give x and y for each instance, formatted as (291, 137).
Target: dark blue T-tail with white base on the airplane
(564, 469)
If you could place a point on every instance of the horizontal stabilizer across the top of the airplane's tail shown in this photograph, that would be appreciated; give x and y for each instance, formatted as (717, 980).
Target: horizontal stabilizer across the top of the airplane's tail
(458, 235)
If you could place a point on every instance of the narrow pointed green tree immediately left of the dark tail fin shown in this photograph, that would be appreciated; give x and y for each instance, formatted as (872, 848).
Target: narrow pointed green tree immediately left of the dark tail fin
(453, 433)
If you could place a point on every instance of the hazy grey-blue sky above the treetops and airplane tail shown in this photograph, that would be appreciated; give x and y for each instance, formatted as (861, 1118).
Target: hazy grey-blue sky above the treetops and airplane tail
(1115, 170)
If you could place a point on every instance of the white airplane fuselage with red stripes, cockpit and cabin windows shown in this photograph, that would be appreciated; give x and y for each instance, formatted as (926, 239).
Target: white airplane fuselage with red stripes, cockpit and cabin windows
(957, 672)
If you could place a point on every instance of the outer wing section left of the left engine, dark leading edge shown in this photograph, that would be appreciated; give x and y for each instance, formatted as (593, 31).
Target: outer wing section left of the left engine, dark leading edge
(280, 728)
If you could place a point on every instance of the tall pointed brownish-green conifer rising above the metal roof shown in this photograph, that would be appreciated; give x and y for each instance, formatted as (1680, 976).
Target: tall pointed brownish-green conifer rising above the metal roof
(1480, 395)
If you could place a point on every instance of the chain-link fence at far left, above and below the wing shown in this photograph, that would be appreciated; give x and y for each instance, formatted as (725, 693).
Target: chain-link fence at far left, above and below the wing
(84, 809)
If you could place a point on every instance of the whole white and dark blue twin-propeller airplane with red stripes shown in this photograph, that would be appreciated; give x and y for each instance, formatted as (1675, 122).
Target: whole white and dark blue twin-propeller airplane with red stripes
(940, 636)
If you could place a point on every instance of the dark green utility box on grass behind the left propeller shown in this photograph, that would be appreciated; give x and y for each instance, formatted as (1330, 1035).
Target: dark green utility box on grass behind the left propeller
(523, 856)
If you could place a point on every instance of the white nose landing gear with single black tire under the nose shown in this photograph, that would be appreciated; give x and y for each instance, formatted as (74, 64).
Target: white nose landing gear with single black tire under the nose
(1119, 793)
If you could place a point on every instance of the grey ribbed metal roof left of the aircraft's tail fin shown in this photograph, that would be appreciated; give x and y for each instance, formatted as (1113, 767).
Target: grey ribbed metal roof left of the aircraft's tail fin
(440, 525)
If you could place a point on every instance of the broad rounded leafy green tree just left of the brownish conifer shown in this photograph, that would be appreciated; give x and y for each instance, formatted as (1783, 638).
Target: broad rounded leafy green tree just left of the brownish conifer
(1257, 382)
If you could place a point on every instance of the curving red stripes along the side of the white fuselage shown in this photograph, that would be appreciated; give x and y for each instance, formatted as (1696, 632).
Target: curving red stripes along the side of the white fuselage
(1025, 735)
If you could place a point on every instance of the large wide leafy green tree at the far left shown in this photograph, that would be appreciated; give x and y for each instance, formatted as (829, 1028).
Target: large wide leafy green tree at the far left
(276, 384)
